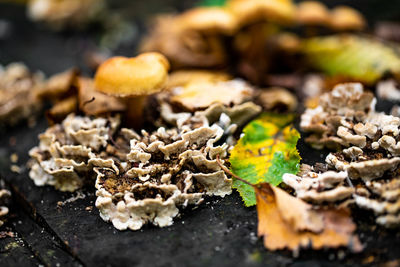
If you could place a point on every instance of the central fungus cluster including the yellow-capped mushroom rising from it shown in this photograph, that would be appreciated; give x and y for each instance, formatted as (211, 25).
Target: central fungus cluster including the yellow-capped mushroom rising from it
(146, 177)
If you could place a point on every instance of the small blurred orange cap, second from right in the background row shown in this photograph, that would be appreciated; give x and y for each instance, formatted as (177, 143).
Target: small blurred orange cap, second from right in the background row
(312, 13)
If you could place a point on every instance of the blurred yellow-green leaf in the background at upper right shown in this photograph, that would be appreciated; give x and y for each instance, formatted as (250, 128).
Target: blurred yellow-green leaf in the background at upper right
(359, 58)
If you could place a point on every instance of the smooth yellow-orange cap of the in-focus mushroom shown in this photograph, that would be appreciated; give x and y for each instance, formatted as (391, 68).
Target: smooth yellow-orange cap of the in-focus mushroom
(138, 76)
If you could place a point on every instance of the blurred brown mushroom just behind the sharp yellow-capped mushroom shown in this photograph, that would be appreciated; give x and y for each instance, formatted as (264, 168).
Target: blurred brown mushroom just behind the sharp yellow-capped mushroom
(183, 46)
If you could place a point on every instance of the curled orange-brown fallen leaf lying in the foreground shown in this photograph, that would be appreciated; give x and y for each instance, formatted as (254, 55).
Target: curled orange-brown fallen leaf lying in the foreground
(279, 224)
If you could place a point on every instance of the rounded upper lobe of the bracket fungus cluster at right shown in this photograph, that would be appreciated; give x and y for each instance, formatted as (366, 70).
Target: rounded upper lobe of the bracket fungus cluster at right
(336, 122)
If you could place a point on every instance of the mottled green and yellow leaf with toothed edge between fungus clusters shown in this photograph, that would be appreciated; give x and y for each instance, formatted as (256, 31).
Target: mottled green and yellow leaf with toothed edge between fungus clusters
(265, 152)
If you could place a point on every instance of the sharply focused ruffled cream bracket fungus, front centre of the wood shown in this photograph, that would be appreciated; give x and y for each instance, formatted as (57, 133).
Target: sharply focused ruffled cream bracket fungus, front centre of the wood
(167, 169)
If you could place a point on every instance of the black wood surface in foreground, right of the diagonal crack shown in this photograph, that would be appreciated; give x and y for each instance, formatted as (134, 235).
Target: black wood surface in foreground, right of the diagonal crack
(221, 231)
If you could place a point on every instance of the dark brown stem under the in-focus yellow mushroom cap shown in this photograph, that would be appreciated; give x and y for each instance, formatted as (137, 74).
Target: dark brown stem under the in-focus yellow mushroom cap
(134, 111)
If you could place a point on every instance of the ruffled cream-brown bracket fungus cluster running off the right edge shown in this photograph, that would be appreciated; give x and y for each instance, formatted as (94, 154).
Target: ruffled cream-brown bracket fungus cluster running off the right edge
(365, 166)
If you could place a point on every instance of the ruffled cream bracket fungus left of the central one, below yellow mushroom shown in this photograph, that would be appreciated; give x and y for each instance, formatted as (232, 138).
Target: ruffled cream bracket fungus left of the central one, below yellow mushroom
(66, 151)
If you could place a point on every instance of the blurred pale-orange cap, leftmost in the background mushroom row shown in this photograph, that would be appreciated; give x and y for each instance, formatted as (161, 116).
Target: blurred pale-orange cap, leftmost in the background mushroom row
(209, 19)
